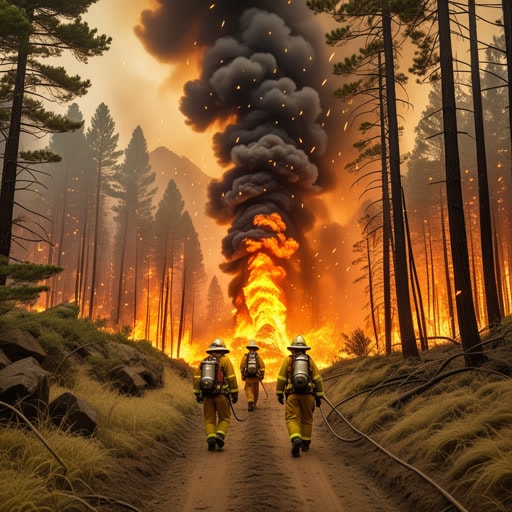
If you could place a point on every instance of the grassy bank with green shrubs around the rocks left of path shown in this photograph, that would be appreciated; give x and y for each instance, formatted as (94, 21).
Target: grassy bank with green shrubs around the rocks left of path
(70, 472)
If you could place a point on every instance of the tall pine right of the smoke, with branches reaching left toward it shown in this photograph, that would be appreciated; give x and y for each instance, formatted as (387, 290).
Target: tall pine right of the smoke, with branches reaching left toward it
(375, 64)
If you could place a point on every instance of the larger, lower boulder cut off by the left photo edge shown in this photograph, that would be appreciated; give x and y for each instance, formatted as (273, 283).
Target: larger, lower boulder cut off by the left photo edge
(24, 385)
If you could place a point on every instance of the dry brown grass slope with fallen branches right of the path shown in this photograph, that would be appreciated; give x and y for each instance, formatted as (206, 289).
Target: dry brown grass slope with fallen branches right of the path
(459, 430)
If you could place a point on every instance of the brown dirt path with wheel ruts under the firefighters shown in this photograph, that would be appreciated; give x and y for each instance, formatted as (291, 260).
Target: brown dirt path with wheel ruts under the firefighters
(256, 472)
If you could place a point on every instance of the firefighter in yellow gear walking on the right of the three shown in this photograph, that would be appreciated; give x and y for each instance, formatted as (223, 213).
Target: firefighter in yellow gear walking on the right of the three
(300, 383)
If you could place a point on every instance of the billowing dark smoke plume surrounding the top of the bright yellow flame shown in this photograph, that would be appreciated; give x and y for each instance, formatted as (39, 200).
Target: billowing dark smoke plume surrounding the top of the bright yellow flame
(261, 83)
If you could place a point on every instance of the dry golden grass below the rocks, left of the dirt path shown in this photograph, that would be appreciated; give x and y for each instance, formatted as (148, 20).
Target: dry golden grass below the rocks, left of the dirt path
(31, 479)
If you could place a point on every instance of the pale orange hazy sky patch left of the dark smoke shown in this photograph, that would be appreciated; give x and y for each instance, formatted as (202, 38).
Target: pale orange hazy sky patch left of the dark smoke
(137, 89)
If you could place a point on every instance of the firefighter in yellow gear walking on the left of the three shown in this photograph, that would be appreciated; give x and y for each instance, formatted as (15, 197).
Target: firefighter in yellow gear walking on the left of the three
(216, 397)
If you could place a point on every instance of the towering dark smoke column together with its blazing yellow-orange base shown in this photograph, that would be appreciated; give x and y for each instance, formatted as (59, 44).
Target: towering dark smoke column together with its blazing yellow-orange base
(259, 79)
